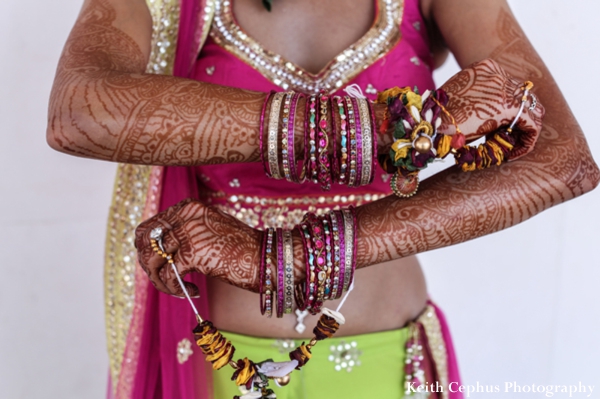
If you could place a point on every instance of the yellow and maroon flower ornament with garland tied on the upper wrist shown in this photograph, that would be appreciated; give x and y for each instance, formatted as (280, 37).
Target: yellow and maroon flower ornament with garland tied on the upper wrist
(417, 141)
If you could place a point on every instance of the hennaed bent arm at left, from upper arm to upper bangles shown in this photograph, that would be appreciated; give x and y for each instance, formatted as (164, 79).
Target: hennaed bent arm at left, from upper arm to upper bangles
(103, 105)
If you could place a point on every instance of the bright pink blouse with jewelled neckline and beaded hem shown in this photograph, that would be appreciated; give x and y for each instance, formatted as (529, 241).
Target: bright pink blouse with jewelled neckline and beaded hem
(394, 52)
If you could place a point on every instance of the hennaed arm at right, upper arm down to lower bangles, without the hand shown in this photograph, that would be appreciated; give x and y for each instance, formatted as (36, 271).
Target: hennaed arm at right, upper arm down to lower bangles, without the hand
(452, 206)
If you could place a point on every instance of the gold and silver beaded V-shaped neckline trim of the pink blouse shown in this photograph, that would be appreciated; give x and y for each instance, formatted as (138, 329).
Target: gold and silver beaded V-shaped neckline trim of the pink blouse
(379, 39)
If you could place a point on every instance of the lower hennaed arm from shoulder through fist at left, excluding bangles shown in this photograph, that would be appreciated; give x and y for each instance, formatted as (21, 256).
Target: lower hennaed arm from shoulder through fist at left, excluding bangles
(450, 207)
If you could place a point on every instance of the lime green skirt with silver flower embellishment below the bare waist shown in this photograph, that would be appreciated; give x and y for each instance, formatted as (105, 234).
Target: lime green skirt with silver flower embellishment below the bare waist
(379, 375)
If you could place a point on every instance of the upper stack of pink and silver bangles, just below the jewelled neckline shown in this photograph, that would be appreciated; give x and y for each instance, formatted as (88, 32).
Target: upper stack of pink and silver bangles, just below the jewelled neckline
(338, 138)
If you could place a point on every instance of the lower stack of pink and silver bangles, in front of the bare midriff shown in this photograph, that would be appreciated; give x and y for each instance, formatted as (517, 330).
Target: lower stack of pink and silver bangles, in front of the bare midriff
(329, 244)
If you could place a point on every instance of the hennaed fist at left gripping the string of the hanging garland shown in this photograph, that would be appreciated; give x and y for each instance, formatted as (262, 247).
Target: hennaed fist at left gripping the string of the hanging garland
(201, 239)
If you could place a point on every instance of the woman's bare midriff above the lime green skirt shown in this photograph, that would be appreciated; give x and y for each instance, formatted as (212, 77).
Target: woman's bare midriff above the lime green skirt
(385, 297)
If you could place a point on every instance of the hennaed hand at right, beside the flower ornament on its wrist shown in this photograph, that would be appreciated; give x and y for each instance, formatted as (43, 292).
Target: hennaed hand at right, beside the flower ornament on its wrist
(483, 98)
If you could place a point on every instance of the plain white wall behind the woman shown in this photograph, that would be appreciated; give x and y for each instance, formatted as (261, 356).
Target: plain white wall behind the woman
(530, 315)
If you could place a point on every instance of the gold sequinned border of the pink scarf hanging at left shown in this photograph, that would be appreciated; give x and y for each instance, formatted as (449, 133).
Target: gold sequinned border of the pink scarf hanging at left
(129, 205)
